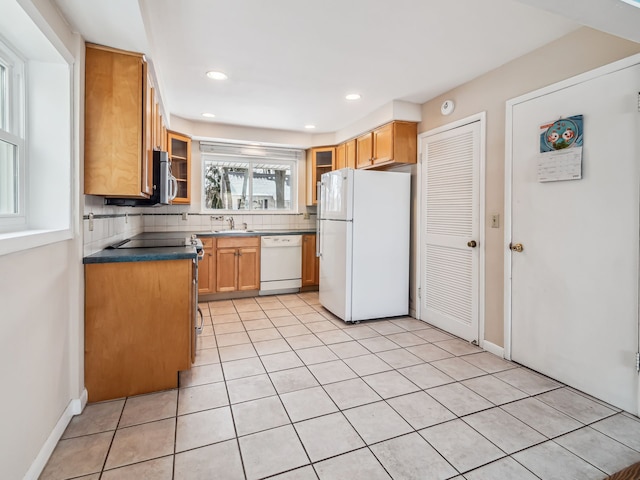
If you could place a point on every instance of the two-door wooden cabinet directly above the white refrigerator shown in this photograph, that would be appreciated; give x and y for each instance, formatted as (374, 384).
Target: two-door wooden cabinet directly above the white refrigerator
(393, 143)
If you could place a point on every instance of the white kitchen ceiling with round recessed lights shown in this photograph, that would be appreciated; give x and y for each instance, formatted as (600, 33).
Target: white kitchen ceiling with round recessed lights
(291, 62)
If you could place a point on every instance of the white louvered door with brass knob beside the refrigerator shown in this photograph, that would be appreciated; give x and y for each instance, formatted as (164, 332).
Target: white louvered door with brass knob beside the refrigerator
(450, 226)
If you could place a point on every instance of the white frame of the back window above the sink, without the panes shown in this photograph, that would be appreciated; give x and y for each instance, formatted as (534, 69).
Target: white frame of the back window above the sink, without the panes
(252, 162)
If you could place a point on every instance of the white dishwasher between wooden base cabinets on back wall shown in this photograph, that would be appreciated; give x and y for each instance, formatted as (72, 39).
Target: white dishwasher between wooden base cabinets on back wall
(280, 264)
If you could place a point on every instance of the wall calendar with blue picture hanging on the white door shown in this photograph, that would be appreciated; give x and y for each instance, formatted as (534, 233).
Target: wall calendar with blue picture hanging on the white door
(560, 155)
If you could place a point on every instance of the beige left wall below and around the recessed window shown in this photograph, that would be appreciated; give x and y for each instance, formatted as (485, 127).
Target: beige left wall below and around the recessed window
(41, 319)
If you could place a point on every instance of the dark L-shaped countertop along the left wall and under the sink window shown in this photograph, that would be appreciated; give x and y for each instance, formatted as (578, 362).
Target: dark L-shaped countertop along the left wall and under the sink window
(112, 255)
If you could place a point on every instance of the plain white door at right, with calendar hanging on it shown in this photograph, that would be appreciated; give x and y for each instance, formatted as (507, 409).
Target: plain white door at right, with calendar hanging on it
(574, 286)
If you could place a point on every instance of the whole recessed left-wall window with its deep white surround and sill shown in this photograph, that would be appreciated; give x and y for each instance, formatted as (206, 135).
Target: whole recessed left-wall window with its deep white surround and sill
(37, 141)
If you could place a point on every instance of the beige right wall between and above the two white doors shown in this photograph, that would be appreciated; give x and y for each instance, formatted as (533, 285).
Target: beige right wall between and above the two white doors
(578, 52)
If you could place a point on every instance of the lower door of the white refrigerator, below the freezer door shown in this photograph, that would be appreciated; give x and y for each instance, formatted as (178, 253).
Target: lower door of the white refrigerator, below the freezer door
(335, 267)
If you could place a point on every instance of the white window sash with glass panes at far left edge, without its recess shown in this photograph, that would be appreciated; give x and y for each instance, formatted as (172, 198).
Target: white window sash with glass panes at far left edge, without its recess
(11, 141)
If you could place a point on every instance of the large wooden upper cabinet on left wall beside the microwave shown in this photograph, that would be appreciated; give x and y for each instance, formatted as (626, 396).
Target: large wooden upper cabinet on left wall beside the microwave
(118, 158)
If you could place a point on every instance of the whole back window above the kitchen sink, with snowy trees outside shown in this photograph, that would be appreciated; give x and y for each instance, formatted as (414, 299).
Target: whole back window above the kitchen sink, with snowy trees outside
(245, 178)
